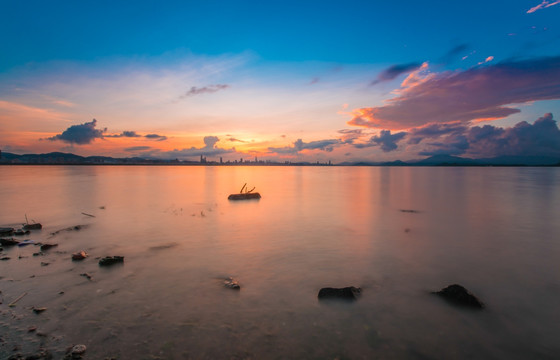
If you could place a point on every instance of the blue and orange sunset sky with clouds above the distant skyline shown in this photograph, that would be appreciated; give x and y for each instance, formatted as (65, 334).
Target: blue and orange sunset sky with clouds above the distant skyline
(281, 81)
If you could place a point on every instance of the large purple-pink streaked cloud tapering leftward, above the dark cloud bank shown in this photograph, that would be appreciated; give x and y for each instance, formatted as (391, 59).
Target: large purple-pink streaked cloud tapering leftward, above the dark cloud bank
(479, 93)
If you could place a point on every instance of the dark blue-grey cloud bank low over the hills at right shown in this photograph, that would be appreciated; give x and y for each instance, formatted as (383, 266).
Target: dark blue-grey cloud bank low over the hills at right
(542, 138)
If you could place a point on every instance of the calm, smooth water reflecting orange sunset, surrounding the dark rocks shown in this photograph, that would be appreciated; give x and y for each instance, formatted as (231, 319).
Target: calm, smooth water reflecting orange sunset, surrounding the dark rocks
(493, 230)
